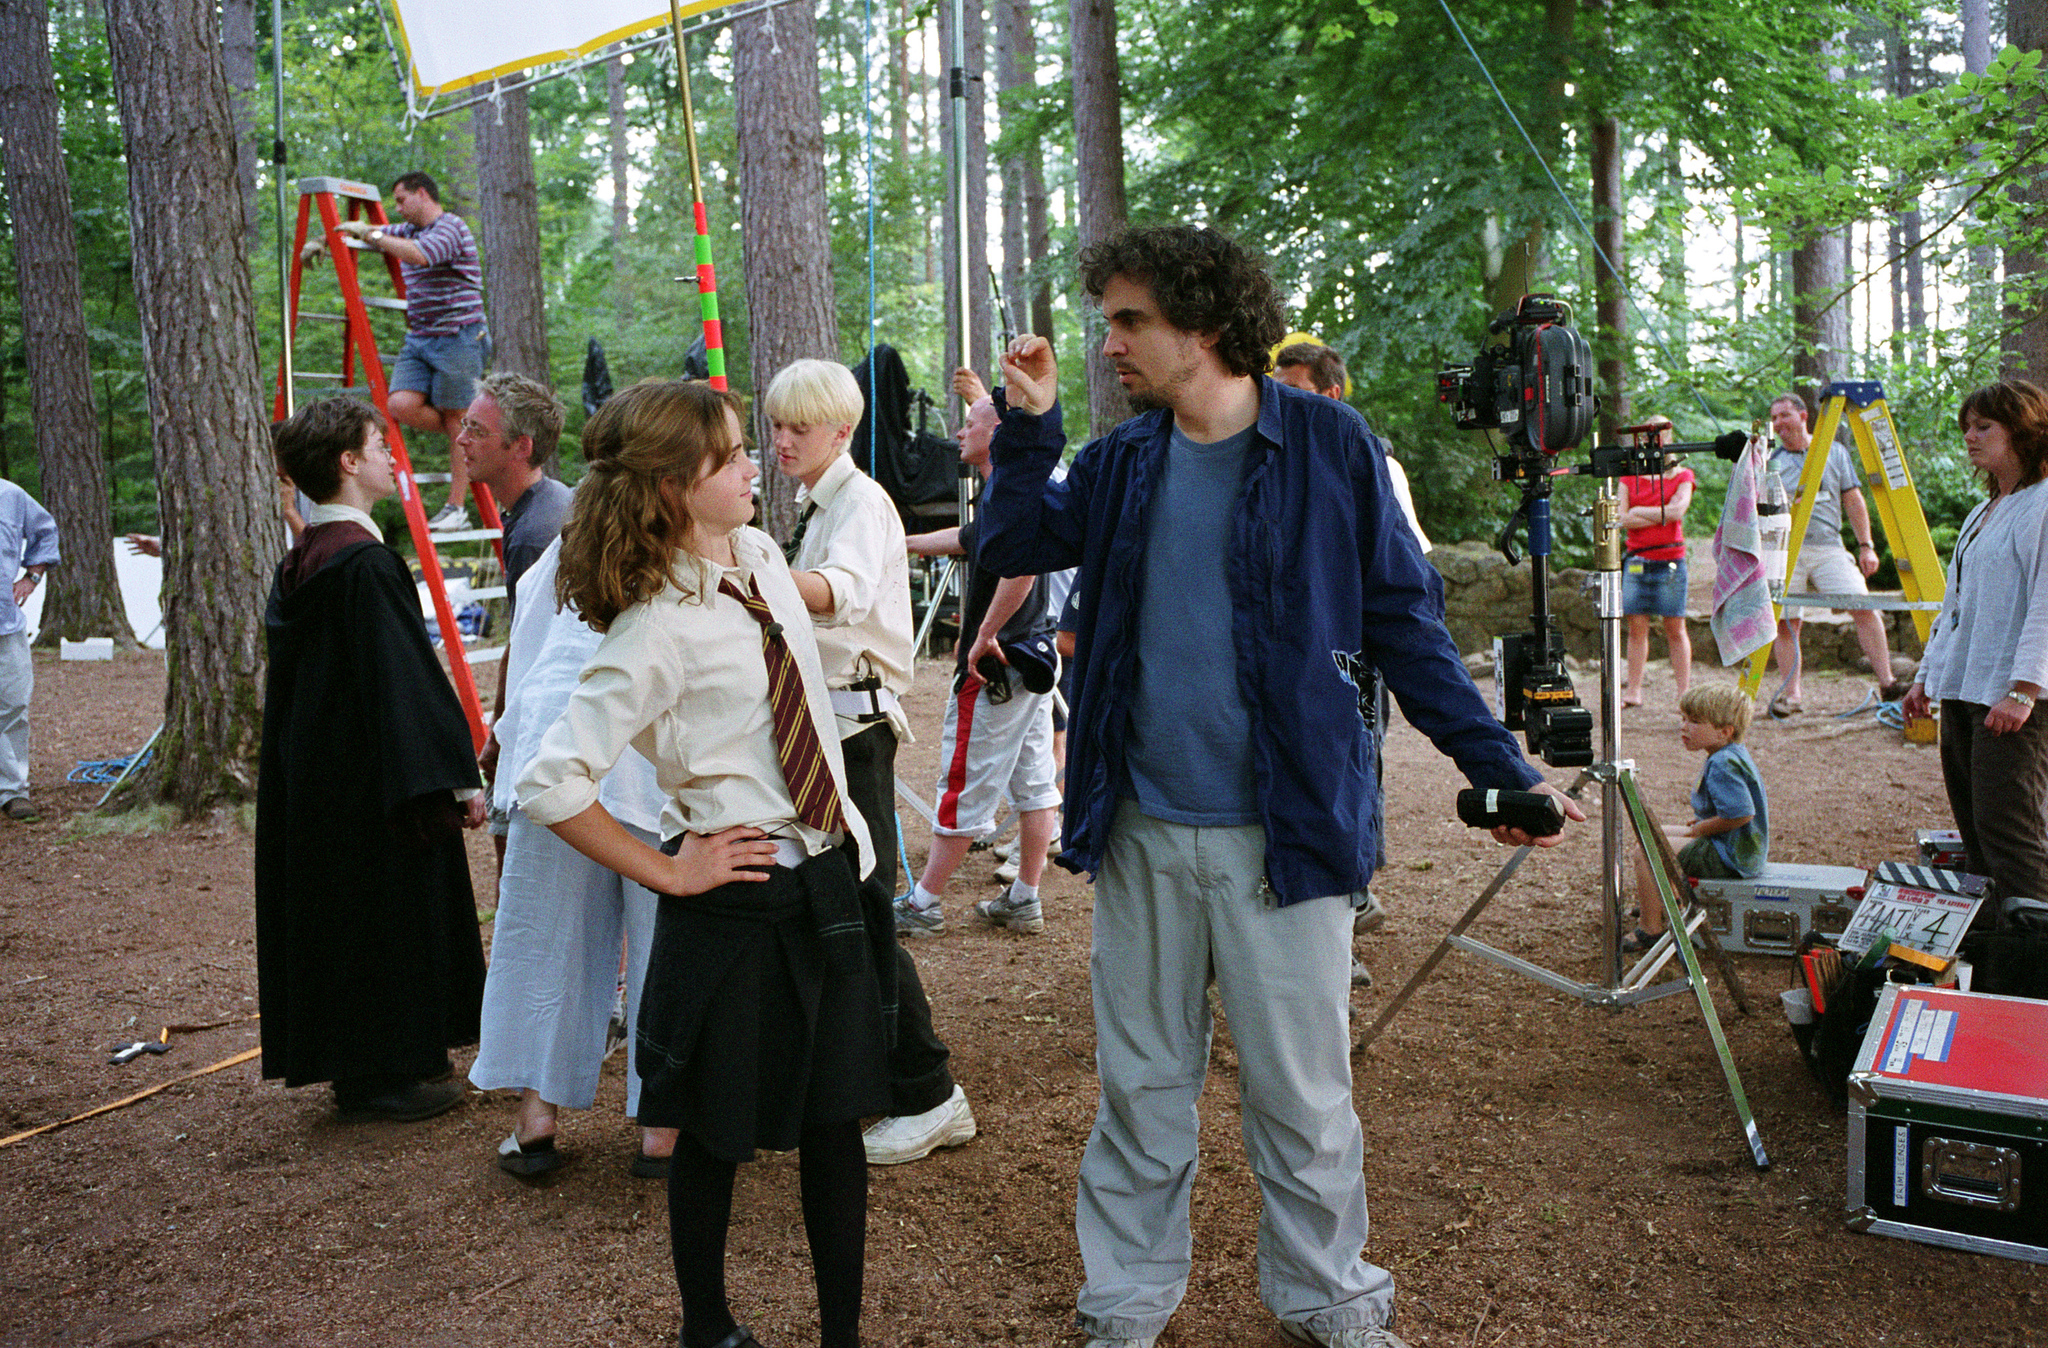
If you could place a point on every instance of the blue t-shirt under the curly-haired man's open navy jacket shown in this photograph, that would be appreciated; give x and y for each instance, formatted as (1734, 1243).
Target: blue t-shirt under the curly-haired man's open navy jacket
(1191, 736)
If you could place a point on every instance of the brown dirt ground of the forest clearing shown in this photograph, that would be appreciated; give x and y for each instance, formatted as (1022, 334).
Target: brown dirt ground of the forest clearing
(1541, 1173)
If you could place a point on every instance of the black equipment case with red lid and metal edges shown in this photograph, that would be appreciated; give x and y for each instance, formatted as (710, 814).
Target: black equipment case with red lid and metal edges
(1949, 1122)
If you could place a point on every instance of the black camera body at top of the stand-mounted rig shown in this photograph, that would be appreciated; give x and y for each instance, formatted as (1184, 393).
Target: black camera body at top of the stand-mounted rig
(1537, 386)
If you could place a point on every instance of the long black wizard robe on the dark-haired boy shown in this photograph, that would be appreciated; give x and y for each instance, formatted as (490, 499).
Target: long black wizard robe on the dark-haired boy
(368, 950)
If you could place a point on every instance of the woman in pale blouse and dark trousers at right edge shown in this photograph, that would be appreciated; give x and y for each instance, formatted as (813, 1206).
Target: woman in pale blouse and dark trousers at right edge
(1988, 659)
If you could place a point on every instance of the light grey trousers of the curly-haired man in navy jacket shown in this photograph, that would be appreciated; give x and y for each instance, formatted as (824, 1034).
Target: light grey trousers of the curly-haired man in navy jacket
(1179, 909)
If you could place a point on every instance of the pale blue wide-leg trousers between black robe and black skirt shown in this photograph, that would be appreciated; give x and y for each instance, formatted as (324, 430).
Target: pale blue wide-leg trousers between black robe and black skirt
(556, 970)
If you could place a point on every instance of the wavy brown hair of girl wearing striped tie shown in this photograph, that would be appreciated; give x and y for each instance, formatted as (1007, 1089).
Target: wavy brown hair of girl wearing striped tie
(620, 546)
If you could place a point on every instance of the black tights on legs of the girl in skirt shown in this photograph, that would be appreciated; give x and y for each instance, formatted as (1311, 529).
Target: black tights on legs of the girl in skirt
(833, 1169)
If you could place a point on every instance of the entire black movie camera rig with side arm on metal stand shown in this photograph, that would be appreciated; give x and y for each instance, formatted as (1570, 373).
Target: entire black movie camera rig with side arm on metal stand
(1535, 386)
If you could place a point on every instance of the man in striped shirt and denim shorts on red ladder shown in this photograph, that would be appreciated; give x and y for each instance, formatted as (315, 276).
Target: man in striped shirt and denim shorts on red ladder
(447, 345)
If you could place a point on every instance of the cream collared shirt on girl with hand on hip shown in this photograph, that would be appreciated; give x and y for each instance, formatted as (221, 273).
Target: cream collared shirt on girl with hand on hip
(683, 679)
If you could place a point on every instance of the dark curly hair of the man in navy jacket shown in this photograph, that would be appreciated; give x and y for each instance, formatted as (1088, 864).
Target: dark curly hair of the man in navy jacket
(1203, 282)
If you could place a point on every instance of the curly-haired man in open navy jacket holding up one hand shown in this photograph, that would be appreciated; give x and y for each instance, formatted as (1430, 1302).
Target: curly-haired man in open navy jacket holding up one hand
(1240, 556)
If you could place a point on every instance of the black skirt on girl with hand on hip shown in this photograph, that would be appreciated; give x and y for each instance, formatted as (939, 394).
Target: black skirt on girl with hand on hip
(763, 1013)
